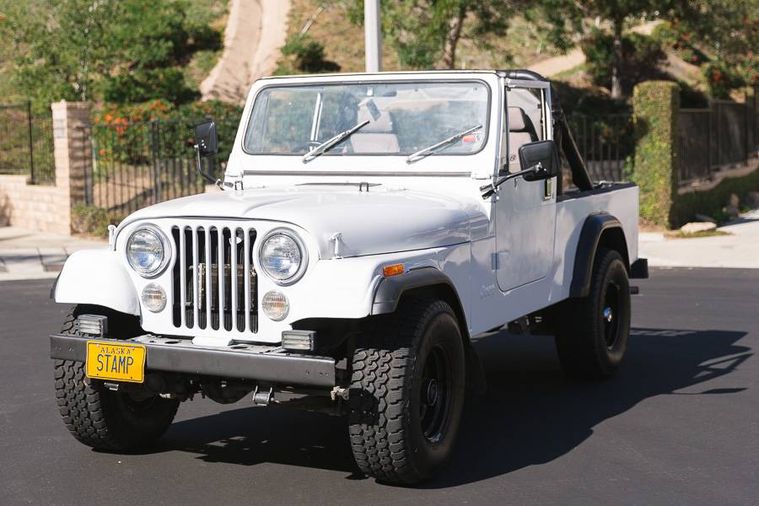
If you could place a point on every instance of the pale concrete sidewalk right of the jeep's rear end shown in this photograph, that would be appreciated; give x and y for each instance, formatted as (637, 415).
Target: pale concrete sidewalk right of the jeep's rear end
(740, 249)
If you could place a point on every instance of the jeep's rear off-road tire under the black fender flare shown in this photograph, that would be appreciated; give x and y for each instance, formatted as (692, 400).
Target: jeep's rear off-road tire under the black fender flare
(591, 342)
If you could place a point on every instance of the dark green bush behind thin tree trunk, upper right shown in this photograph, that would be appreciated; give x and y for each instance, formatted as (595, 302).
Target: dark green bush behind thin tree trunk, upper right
(641, 55)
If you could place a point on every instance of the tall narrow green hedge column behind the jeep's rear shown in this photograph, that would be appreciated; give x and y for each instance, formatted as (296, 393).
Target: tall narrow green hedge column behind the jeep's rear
(655, 105)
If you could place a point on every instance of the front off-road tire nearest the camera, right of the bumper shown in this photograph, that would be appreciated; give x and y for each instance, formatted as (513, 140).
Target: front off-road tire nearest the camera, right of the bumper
(388, 418)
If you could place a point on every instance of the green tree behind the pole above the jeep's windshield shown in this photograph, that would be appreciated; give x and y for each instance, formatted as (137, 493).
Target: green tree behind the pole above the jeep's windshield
(426, 33)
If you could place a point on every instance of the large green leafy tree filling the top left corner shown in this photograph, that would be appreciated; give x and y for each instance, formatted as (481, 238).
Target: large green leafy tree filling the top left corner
(123, 50)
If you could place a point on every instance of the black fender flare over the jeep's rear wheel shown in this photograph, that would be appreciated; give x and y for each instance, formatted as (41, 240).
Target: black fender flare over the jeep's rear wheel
(590, 238)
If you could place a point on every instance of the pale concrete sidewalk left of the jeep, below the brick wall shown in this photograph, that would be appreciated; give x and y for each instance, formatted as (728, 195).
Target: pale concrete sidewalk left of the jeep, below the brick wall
(26, 254)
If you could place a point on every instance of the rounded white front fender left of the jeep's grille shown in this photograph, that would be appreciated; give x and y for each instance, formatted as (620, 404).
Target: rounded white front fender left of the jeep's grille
(97, 276)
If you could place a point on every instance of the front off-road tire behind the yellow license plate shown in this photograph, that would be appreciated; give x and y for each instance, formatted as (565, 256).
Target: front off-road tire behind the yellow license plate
(99, 417)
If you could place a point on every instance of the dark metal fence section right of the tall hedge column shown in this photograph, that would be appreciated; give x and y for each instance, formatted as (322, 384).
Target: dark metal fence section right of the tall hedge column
(724, 134)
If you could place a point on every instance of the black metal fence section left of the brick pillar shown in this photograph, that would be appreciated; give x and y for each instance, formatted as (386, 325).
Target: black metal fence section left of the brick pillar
(26, 143)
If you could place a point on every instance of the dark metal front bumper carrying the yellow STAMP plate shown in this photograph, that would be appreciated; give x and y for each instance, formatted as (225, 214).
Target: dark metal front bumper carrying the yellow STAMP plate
(244, 361)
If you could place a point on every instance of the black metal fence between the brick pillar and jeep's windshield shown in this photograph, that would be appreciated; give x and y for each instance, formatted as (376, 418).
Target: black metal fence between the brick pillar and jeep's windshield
(134, 165)
